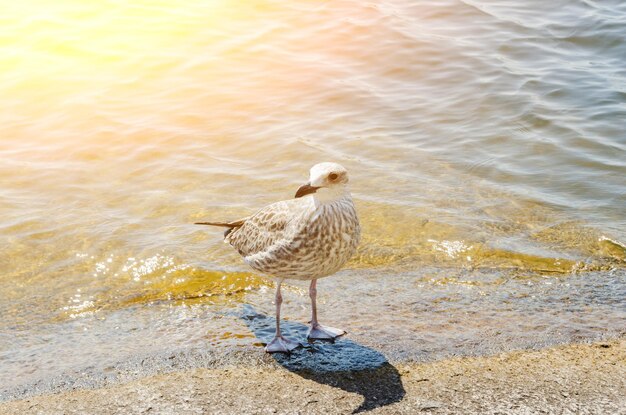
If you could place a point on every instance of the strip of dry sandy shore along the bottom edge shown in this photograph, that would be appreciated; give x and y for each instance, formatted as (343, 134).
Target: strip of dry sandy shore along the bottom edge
(579, 378)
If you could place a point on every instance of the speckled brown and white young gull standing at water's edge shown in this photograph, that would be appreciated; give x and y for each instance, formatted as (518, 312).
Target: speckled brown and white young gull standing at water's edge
(305, 238)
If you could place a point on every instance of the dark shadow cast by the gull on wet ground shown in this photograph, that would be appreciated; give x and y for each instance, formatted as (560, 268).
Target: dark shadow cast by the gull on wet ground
(343, 364)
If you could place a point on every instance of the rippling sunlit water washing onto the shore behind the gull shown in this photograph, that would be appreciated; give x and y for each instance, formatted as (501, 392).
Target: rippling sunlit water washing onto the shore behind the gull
(485, 140)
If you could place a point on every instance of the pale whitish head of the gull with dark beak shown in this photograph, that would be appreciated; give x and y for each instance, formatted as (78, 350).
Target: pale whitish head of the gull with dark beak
(326, 180)
